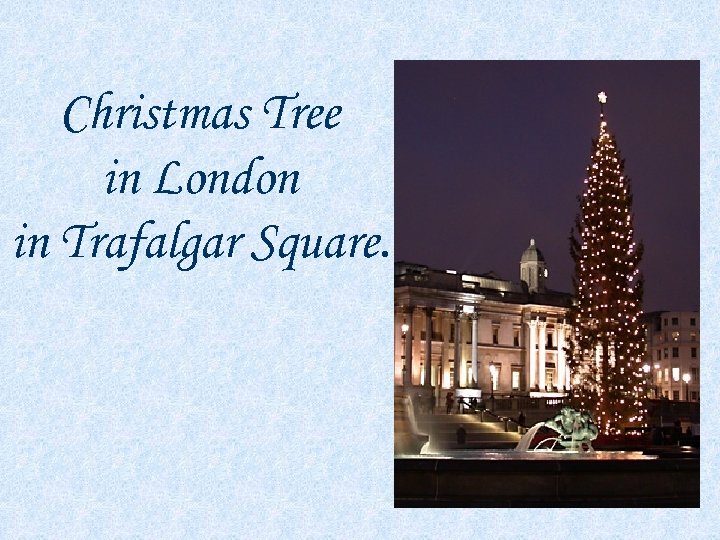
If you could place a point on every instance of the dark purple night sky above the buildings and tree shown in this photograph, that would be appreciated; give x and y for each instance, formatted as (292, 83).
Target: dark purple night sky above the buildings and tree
(491, 154)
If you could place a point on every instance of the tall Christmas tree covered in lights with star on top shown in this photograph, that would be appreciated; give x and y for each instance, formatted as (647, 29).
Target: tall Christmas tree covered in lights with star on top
(607, 348)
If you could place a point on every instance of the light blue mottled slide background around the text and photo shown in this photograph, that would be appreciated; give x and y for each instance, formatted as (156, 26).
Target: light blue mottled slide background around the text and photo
(236, 399)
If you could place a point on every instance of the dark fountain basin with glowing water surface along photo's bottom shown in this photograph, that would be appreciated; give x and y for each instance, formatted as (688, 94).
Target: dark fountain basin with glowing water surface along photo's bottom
(547, 479)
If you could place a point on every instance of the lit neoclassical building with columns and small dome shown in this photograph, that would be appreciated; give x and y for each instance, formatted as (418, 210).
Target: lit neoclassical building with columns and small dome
(463, 330)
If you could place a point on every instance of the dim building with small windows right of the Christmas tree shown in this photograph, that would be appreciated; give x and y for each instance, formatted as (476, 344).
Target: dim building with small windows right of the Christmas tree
(672, 361)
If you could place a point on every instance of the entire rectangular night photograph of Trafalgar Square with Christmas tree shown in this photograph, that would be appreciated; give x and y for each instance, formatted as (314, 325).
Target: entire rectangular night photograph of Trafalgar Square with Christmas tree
(547, 284)
